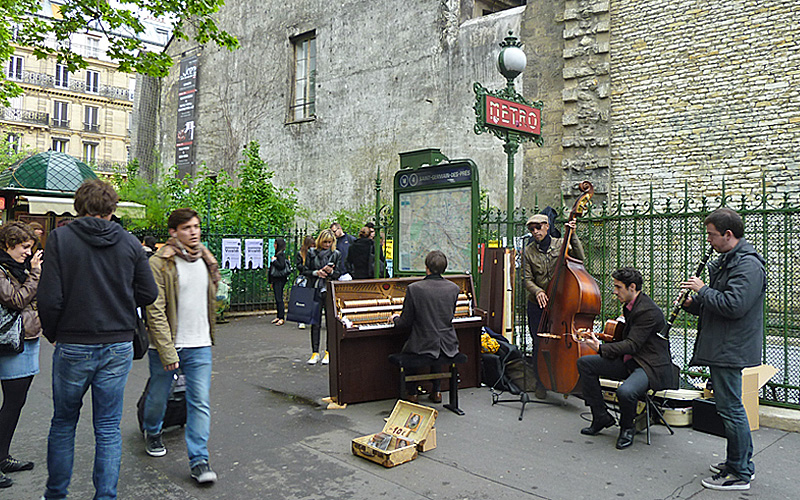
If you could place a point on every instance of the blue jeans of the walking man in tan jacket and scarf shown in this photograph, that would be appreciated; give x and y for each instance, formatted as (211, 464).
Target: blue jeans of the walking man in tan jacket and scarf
(195, 363)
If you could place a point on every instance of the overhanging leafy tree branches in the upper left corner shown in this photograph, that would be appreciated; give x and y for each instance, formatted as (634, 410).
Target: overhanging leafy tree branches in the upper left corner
(119, 20)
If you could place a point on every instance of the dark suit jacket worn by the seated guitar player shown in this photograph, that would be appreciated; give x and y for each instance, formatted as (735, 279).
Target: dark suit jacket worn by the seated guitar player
(640, 339)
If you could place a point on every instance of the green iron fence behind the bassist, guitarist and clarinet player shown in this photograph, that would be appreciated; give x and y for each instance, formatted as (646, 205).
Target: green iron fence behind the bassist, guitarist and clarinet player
(665, 240)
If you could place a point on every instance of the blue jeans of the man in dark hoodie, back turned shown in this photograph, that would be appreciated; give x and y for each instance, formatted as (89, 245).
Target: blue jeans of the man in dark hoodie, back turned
(76, 367)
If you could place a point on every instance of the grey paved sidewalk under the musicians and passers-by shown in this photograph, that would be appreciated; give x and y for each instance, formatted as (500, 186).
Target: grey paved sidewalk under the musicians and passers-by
(271, 438)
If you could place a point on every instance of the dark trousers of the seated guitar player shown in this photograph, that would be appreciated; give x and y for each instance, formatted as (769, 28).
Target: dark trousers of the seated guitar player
(634, 387)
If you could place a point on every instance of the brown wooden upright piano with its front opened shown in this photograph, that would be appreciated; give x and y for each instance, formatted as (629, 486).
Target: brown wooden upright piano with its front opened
(360, 337)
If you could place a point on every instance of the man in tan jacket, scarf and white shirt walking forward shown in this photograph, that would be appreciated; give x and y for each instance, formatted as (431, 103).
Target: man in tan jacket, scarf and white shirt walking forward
(181, 325)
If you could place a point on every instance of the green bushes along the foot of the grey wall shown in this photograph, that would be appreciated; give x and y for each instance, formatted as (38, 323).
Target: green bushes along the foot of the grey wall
(252, 206)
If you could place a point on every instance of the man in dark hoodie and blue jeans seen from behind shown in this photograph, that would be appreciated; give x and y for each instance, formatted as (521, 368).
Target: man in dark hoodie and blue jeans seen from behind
(94, 276)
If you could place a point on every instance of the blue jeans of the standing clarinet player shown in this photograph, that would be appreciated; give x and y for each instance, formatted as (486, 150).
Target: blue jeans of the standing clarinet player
(727, 384)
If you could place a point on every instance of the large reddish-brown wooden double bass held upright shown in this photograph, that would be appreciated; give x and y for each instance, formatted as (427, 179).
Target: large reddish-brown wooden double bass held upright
(573, 301)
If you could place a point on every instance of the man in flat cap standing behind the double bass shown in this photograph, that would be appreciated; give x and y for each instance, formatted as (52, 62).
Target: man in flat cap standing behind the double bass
(539, 259)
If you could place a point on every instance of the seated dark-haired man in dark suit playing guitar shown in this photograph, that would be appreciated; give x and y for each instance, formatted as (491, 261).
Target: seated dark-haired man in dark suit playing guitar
(641, 359)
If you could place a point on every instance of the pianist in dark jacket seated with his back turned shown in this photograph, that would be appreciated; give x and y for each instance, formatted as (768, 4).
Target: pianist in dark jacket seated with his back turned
(428, 310)
